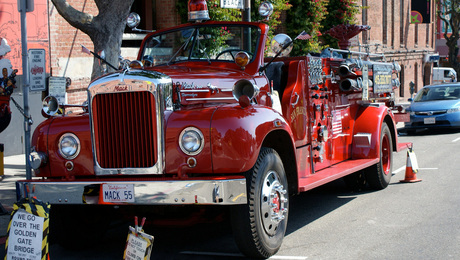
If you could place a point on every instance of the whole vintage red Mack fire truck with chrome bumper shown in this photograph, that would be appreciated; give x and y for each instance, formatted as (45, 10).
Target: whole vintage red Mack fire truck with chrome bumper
(202, 118)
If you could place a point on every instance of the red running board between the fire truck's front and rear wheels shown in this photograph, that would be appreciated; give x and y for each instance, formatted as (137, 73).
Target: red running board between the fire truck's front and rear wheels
(334, 172)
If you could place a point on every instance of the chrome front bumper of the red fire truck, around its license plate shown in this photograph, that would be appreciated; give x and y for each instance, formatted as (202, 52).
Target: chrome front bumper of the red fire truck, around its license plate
(173, 192)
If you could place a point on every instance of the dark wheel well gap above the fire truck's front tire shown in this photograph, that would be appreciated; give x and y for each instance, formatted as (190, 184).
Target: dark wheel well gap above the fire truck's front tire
(281, 142)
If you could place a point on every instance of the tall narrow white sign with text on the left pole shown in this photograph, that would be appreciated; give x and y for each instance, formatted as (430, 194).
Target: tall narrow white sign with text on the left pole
(37, 71)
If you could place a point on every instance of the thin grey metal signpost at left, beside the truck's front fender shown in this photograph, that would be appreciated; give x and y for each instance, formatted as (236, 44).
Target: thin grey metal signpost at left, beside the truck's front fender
(25, 6)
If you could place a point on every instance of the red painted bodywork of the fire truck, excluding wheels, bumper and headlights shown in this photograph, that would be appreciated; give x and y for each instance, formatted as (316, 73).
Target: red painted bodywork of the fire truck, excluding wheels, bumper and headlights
(321, 132)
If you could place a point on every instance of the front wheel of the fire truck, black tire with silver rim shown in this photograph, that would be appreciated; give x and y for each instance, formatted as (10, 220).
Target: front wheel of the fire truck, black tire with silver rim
(259, 226)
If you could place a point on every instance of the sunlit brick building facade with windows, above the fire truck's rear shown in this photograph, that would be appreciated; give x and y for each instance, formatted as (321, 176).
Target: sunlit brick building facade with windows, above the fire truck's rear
(392, 34)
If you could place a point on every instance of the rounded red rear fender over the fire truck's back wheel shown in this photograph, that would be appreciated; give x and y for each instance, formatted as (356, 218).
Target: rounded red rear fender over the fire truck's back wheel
(367, 128)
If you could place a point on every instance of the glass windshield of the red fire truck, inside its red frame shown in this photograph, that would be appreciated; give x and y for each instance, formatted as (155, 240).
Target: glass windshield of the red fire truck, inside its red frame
(208, 43)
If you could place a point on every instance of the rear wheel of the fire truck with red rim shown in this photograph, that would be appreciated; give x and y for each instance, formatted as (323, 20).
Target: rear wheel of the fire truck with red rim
(379, 175)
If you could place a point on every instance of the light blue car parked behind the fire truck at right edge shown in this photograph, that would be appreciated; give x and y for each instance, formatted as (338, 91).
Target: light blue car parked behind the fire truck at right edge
(435, 106)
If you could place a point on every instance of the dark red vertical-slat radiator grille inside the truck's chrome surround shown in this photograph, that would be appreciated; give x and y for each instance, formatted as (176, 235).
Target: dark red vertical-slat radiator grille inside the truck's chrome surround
(125, 130)
